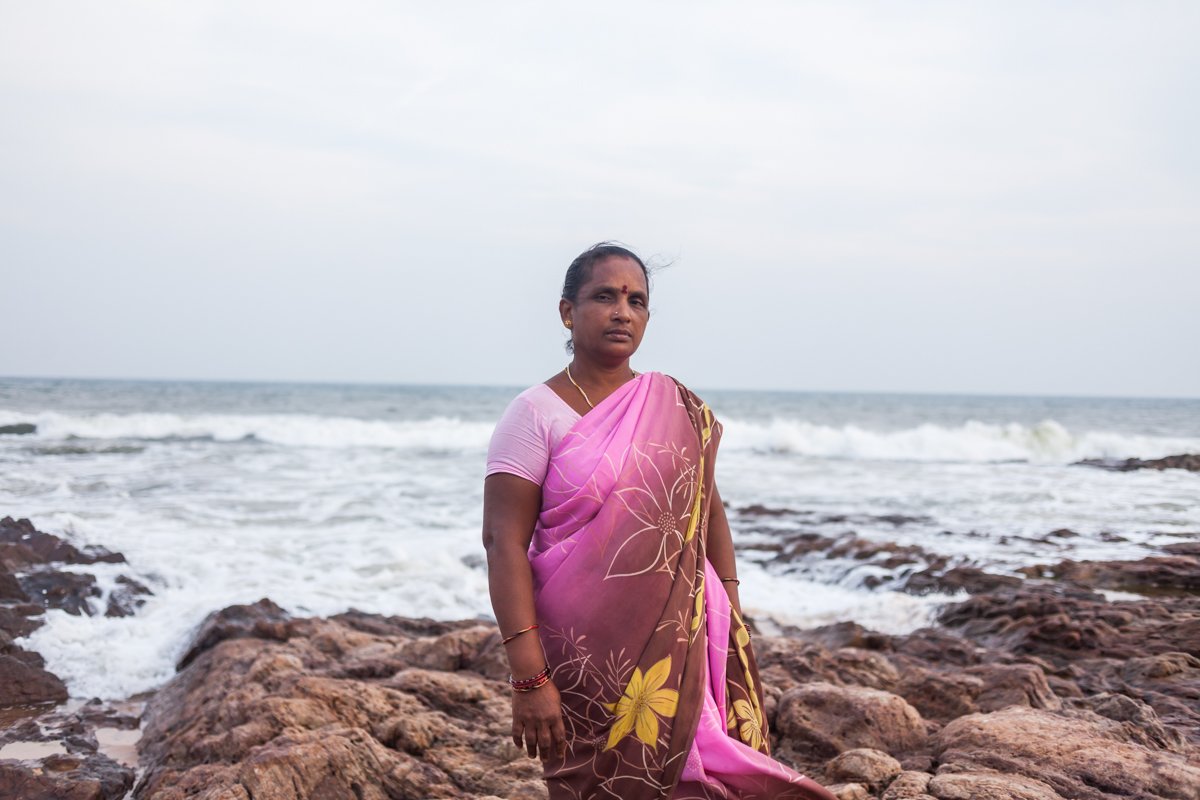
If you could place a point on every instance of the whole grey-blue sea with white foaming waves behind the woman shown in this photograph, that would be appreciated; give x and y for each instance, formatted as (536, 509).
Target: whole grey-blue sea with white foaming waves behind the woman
(328, 497)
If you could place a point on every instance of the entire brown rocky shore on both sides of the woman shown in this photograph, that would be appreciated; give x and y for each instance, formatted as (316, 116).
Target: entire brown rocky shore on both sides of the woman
(1034, 688)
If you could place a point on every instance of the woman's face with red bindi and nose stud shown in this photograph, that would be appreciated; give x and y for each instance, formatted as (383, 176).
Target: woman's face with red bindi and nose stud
(609, 316)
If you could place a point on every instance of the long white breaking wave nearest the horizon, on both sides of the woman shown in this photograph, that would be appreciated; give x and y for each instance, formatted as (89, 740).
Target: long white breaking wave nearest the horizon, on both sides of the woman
(1047, 442)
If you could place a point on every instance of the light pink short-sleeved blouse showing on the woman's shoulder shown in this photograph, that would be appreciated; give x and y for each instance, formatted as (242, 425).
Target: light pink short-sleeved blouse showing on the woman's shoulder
(532, 426)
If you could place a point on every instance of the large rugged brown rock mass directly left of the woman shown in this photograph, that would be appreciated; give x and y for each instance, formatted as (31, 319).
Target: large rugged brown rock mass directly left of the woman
(334, 709)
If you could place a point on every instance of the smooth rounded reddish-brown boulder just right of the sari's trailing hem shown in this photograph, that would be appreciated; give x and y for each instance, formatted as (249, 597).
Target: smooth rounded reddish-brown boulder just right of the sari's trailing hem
(825, 720)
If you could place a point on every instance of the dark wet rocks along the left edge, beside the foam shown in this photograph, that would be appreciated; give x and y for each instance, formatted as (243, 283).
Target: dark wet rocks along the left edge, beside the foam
(50, 750)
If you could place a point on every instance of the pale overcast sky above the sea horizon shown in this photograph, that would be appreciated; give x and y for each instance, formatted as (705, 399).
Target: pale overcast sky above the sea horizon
(998, 199)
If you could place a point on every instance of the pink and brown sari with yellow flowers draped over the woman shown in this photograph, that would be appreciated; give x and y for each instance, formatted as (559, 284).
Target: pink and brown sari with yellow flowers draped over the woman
(661, 689)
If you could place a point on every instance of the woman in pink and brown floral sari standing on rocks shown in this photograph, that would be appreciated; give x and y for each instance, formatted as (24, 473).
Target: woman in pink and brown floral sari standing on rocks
(613, 574)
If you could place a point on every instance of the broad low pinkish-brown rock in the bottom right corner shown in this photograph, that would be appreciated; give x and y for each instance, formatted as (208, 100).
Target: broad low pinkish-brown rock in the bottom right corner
(1076, 754)
